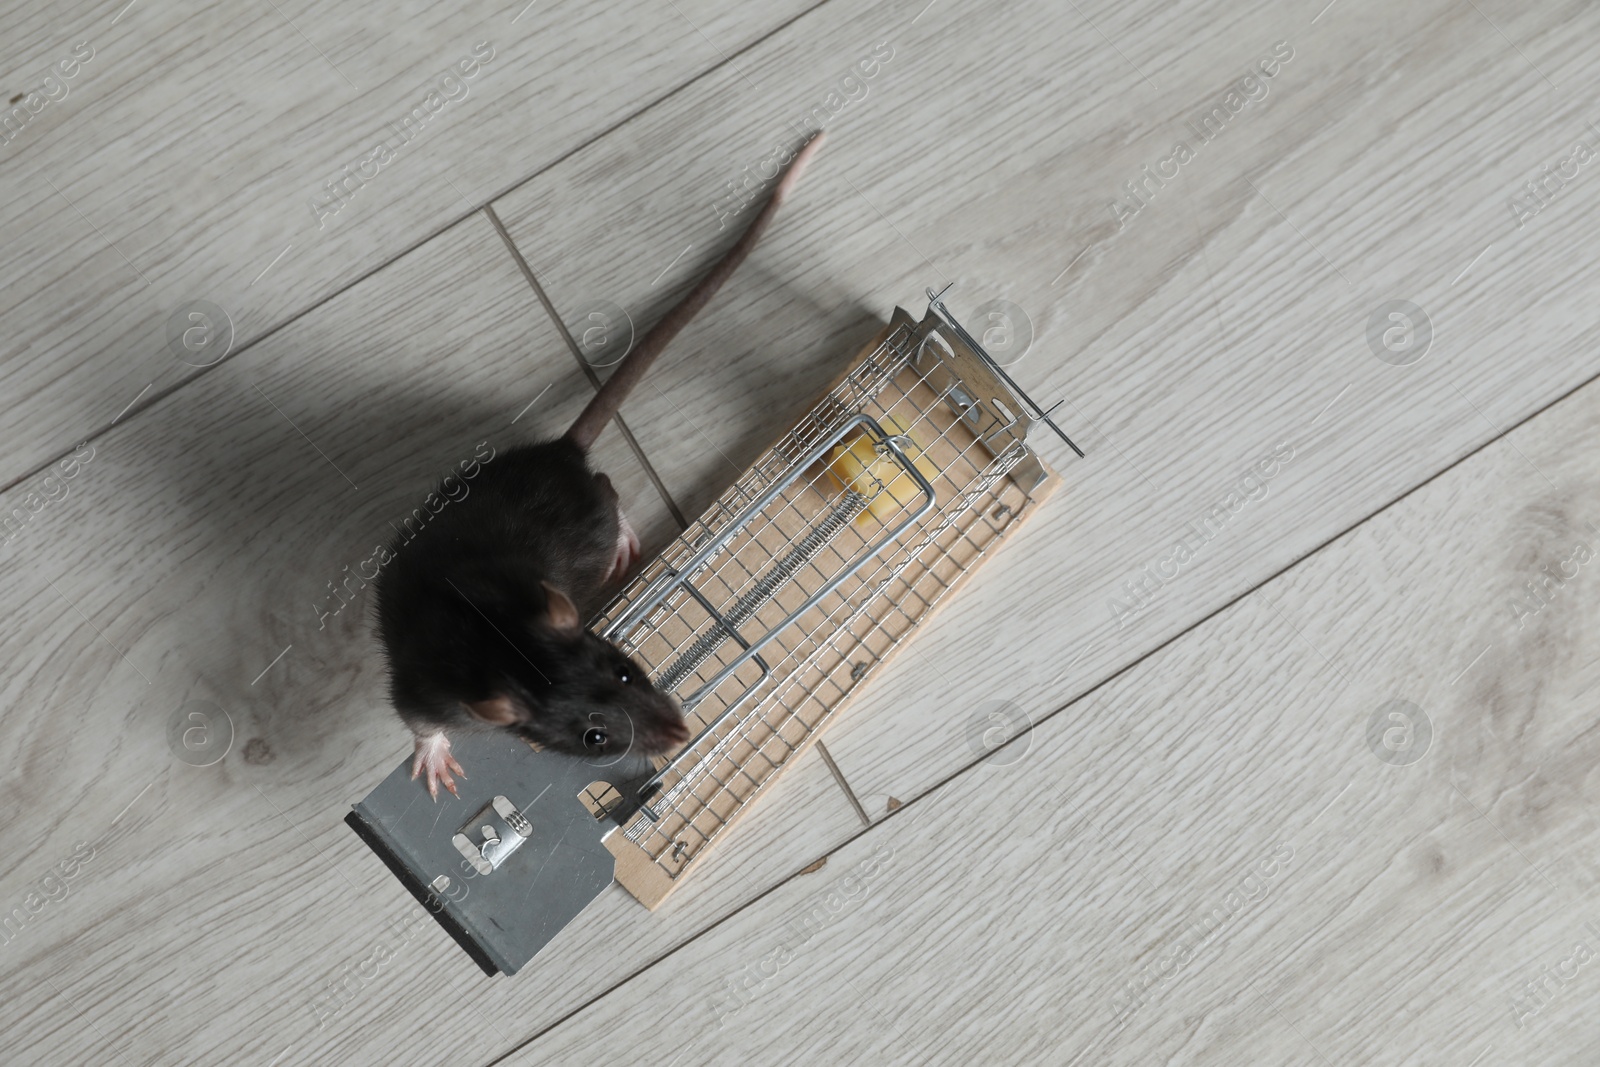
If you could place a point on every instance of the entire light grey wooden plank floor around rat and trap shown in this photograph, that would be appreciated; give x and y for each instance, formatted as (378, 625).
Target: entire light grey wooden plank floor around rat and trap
(1201, 852)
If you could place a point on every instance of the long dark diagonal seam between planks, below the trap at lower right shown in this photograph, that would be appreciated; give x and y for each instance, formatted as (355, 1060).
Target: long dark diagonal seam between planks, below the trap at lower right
(1082, 697)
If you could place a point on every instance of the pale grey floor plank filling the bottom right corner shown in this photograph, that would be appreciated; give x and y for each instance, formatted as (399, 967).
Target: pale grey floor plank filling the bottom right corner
(1233, 853)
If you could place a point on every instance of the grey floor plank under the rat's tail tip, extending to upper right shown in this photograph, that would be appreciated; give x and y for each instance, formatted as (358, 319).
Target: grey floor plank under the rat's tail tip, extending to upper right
(1220, 326)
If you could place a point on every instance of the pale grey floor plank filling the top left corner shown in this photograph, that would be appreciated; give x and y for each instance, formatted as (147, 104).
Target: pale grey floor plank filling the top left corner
(188, 156)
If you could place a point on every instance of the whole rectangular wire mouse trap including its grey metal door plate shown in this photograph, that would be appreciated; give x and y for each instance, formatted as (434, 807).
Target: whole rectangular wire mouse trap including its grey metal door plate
(762, 620)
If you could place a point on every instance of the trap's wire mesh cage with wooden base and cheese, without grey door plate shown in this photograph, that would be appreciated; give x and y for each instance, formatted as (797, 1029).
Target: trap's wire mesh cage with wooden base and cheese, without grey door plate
(807, 573)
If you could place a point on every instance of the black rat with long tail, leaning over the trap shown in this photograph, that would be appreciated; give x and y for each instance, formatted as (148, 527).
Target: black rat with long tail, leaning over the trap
(479, 613)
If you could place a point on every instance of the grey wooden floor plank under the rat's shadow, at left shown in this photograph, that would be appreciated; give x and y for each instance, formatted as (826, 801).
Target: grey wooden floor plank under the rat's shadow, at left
(186, 556)
